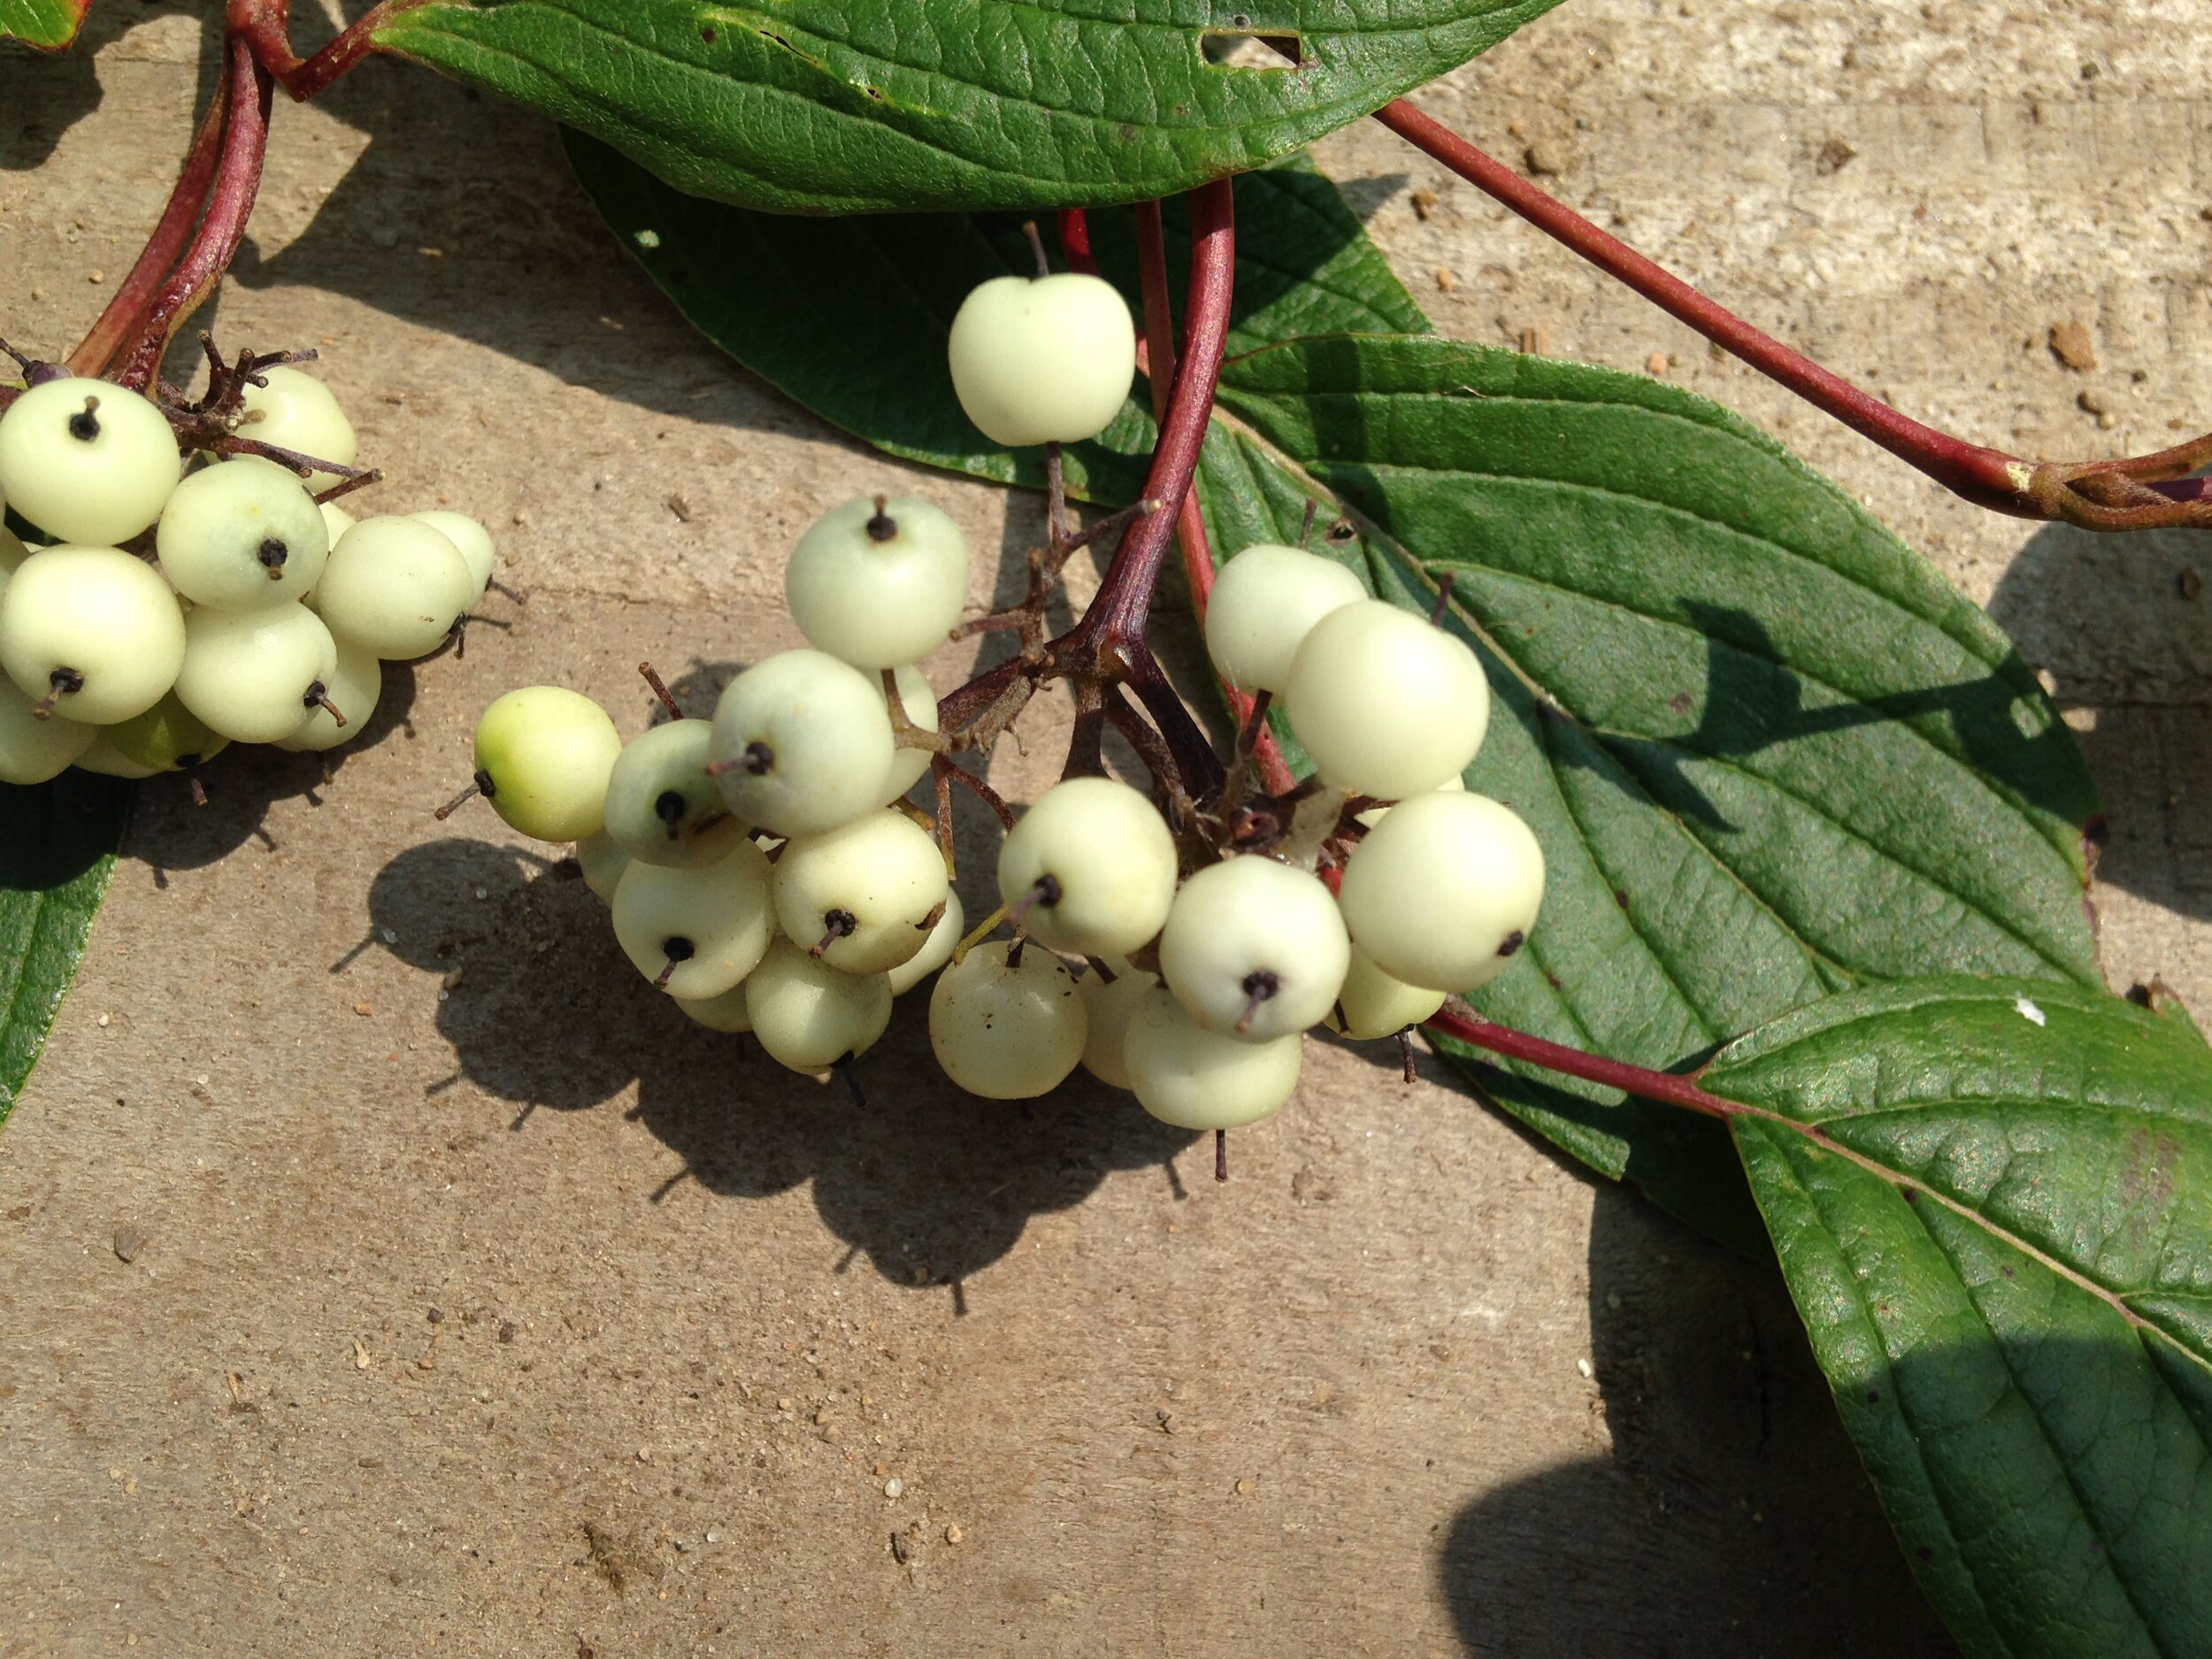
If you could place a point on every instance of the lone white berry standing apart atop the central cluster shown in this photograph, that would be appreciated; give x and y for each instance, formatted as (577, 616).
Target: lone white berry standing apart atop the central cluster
(1043, 359)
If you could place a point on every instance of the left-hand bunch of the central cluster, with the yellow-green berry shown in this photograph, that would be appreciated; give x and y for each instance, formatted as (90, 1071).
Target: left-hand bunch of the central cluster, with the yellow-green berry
(755, 864)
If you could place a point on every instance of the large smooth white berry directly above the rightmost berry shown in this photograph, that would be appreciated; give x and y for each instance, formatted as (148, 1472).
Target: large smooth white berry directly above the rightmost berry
(1384, 702)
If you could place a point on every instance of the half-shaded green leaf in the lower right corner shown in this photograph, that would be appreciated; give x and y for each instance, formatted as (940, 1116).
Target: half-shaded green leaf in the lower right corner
(1994, 1207)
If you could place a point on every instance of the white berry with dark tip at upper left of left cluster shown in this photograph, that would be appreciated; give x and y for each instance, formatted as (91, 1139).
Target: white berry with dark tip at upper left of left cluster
(90, 477)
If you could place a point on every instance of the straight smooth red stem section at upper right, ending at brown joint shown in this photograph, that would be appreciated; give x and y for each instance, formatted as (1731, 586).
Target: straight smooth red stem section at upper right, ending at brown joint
(1985, 477)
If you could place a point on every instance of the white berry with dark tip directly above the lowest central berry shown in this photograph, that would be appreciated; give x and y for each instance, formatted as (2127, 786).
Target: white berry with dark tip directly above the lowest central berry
(1255, 950)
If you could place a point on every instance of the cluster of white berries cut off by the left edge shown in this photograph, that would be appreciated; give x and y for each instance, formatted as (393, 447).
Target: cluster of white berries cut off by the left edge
(189, 601)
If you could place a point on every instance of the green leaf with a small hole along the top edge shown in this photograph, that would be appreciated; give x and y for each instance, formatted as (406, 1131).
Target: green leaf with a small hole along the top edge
(921, 105)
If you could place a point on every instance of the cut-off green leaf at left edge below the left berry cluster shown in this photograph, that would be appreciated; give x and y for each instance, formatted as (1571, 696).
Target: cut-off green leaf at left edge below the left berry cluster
(56, 855)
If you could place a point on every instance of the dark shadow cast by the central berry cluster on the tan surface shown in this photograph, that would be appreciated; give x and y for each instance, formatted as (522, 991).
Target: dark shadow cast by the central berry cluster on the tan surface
(545, 1012)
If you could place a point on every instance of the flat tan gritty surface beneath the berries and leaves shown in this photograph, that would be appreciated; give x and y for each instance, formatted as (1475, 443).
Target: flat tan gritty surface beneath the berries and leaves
(477, 1304)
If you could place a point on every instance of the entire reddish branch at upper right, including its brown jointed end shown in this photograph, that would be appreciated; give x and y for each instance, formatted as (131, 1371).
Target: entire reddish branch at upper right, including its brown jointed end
(2118, 494)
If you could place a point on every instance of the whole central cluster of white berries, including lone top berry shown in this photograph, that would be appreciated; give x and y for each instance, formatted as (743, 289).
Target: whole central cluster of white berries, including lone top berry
(766, 870)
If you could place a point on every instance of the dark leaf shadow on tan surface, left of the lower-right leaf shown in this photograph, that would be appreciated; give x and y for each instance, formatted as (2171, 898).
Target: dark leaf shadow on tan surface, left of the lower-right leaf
(1726, 1516)
